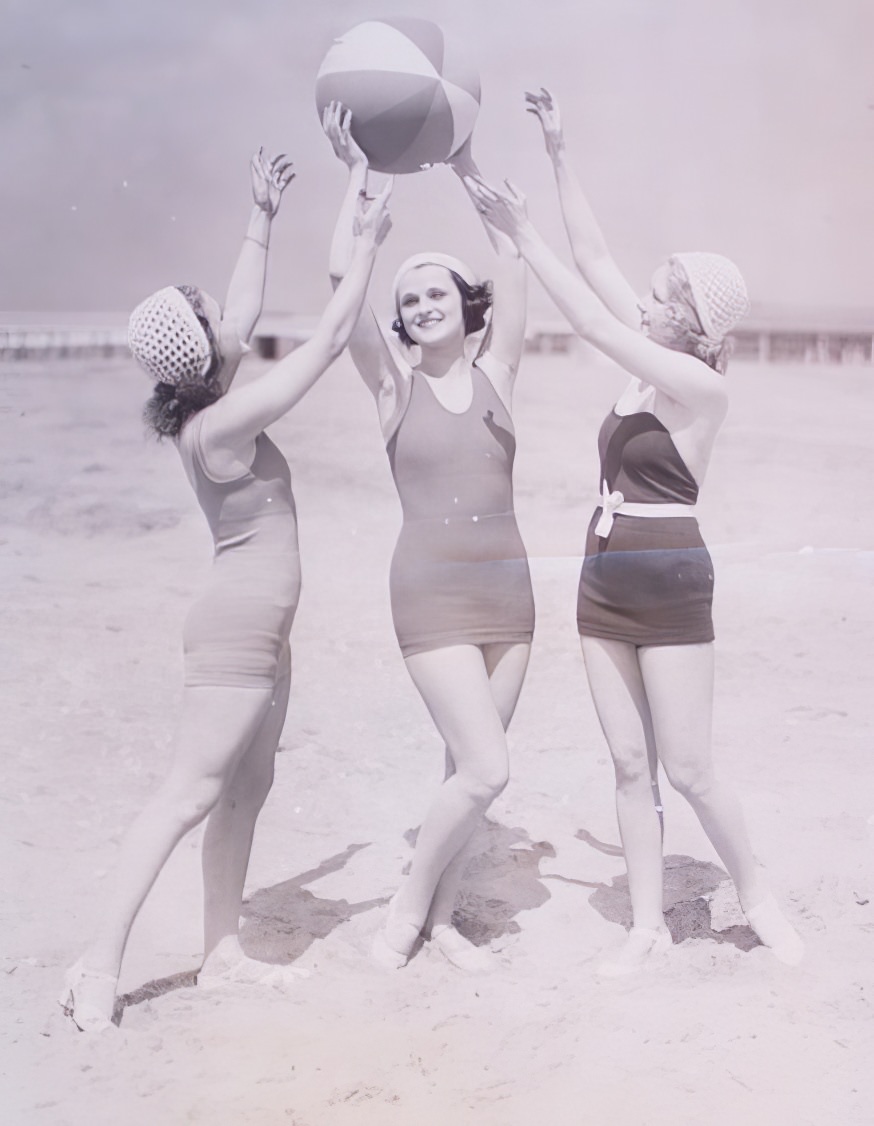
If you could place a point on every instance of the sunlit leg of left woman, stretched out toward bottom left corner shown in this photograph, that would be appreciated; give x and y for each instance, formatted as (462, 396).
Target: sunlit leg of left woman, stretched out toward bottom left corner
(216, 730)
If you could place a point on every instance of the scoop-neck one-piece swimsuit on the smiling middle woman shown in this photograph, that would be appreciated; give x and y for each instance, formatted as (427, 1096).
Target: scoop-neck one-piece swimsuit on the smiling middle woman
(460, 571)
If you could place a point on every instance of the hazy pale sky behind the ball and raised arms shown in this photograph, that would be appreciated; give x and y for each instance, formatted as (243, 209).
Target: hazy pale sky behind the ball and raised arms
(745, 127)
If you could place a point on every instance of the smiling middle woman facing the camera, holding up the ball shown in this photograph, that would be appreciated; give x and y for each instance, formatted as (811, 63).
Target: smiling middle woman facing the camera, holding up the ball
(460, 586)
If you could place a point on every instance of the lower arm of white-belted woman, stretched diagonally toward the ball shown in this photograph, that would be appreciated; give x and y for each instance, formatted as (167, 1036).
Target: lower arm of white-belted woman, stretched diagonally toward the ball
(680, 376)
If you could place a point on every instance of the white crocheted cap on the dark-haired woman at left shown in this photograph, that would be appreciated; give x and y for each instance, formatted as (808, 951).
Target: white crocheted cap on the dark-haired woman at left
(167, 338)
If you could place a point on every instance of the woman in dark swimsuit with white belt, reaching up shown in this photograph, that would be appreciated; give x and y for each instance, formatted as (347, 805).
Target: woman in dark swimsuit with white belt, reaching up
(647, 583)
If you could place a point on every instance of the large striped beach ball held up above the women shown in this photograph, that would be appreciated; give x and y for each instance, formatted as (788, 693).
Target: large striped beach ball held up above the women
(413, 95)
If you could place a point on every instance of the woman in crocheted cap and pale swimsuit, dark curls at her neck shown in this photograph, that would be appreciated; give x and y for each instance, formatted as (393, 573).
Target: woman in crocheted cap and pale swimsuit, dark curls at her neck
(236, 637)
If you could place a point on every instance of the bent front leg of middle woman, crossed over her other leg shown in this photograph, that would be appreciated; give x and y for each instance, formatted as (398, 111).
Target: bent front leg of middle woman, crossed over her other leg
(454, 684)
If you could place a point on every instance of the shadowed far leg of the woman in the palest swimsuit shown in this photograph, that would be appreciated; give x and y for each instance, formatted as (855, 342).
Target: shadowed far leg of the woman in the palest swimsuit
(230, 828)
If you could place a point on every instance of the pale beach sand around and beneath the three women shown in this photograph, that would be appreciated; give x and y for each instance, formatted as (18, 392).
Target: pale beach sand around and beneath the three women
(104, 550)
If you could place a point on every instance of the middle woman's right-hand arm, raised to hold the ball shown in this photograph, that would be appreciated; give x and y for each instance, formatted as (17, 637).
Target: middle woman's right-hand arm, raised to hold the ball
(506, 335)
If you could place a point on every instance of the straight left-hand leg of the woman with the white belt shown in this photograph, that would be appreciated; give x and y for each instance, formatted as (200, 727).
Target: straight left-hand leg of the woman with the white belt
(620, 700)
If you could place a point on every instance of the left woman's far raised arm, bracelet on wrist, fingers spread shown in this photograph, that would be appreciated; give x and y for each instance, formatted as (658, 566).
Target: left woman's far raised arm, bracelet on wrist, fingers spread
(243, 306)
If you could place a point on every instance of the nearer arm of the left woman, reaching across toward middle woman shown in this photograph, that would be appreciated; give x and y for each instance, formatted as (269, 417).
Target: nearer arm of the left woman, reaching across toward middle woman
(236, 421)
